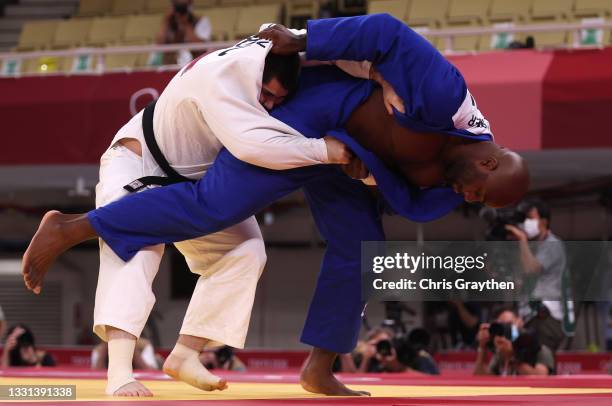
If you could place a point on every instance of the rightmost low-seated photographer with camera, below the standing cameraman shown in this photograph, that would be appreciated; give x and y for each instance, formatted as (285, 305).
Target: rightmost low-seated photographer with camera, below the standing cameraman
(516, 351)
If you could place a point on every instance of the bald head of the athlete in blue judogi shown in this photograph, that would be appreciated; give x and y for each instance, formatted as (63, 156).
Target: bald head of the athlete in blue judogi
(487, 173)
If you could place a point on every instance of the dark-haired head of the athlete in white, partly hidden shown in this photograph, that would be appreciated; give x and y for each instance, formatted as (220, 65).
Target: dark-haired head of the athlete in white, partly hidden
(280, 79)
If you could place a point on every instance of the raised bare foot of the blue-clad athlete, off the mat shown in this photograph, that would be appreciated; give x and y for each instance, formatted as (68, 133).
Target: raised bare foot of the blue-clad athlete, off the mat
(56, 233)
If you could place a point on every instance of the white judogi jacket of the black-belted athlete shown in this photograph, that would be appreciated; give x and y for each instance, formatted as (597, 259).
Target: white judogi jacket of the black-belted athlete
(214, 102)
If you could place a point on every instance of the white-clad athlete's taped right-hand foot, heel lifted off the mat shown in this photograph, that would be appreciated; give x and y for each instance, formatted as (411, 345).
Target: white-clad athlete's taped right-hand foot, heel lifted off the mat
(192, 372)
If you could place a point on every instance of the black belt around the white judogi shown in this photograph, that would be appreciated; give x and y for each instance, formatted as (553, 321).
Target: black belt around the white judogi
(172, 176)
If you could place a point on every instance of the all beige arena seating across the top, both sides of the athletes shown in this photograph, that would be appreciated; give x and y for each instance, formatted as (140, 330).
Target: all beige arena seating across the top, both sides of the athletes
(102, 23)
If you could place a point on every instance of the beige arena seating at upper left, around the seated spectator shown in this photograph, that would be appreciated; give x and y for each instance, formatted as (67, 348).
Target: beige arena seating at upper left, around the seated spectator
(102, 23)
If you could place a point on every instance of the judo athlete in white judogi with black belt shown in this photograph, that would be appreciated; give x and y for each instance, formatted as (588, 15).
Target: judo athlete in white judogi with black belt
(217, 101)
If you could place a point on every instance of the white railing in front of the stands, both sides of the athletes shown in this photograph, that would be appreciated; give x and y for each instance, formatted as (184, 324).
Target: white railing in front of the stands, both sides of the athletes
(448, 34)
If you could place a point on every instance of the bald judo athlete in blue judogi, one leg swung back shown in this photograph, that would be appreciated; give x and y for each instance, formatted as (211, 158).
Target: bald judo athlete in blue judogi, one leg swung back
(441, 118)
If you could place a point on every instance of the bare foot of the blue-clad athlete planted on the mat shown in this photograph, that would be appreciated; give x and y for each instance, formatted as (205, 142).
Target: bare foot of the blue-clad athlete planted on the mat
(317, 376)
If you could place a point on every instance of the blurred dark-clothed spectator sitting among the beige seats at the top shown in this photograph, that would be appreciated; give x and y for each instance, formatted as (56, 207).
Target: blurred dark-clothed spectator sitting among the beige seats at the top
(180, 26)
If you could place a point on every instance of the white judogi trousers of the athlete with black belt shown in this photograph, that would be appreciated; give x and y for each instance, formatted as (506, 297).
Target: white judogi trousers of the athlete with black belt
(229, 263)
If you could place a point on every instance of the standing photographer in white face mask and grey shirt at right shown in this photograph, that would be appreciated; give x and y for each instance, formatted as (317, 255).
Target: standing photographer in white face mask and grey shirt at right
(544, 262)
